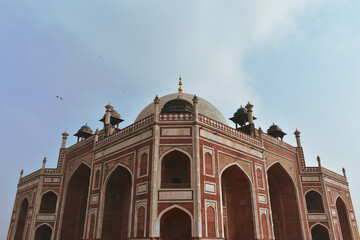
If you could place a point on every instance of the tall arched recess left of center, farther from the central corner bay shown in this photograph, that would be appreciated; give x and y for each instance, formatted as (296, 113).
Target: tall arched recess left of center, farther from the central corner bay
(75, 204)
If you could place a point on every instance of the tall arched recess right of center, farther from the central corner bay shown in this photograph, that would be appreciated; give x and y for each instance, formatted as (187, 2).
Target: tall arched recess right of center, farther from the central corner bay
(285, 212)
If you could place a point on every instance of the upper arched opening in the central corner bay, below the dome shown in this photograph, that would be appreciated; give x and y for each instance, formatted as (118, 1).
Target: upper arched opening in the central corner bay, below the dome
(175, 170)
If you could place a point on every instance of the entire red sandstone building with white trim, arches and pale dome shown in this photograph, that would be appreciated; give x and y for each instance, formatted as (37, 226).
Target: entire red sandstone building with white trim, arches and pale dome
(182, 176)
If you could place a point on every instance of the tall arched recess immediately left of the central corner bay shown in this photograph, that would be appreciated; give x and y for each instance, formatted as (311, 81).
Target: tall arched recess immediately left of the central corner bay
(117, 205)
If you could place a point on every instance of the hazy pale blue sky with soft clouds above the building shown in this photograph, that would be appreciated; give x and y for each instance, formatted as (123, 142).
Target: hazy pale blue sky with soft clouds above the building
(297, 61)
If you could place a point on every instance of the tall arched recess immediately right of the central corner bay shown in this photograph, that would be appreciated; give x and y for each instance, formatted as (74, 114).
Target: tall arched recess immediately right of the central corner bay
(237, 204)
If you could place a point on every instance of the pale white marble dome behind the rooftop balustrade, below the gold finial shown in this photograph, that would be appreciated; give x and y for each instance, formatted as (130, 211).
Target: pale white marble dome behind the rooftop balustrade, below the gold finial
(204, 107)
